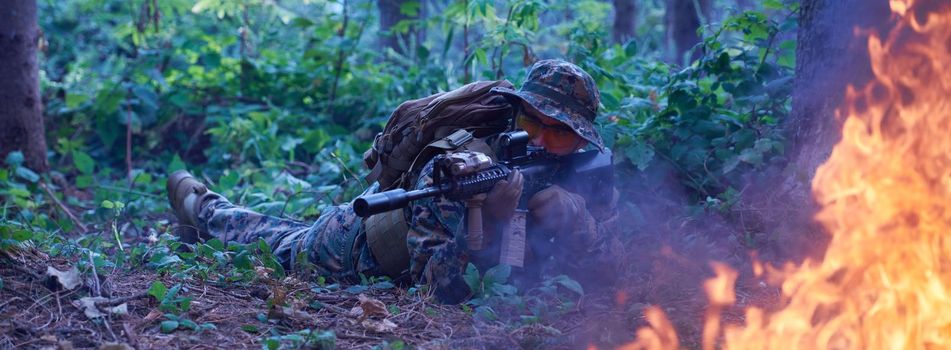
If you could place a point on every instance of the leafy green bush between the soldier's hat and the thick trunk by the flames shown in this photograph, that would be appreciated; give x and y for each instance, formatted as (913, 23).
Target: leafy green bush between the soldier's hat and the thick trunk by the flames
(710, 121)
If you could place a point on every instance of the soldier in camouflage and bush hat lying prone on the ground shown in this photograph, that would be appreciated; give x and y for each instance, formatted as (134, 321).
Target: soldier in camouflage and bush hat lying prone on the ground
(433, 238)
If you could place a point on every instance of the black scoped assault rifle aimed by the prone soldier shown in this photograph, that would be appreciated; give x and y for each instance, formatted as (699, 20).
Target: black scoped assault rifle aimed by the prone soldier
(459, 177)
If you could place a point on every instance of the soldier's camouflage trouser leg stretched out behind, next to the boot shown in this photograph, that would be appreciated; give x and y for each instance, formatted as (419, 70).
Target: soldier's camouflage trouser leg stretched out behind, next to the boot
(335, 245)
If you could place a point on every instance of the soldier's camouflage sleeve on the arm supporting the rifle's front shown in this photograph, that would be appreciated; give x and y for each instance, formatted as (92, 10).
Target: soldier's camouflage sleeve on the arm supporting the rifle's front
(436, 242)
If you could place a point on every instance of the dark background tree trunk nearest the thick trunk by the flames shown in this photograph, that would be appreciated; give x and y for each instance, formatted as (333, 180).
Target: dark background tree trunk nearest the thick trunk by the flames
(683, 18)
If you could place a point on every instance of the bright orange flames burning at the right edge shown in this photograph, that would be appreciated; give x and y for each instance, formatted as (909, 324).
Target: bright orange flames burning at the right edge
(885, 280)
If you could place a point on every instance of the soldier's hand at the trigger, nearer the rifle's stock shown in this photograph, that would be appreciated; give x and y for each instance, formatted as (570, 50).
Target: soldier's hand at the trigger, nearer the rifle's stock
(556, 210)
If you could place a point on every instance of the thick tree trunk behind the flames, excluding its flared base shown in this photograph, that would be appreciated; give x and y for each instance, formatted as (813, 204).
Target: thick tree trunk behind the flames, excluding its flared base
(829, 56)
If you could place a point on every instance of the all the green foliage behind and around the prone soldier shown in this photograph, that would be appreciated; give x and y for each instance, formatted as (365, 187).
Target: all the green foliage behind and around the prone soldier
(273, 103)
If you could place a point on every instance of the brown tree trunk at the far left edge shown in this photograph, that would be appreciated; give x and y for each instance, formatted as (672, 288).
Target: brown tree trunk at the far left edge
(21, 117)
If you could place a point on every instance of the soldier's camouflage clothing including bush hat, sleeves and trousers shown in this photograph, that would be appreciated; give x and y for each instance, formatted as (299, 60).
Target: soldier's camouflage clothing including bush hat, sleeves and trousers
(337, 245)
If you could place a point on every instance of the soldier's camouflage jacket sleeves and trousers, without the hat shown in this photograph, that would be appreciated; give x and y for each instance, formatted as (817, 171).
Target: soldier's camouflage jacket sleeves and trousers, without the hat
(336, 243)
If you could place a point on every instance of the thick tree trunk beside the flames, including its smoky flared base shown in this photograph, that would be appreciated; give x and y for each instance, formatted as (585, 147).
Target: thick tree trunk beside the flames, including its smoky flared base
(829, 56)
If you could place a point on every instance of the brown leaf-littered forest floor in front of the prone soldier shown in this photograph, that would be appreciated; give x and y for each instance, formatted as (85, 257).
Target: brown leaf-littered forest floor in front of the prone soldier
(666, 265)
